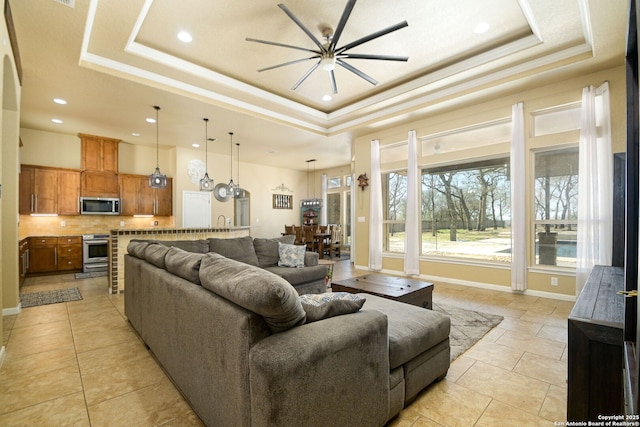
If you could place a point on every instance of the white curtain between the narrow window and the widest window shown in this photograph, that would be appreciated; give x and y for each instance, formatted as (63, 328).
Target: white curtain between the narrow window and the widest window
(412, 217)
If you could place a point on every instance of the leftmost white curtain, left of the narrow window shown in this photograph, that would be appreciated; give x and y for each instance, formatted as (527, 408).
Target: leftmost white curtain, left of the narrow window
(375, 209)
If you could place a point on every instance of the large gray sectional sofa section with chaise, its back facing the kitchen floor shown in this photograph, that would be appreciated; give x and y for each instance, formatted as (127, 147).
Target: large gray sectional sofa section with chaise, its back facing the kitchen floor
(242, 348)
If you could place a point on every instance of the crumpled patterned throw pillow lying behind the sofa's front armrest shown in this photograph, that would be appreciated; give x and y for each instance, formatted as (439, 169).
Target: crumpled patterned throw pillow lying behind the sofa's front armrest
(323, 306)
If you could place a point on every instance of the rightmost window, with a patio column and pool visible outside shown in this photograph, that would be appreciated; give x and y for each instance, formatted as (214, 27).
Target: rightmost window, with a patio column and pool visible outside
(556, 207)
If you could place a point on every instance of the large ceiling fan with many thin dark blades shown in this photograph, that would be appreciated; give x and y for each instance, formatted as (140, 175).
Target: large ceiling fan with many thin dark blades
(328, 53)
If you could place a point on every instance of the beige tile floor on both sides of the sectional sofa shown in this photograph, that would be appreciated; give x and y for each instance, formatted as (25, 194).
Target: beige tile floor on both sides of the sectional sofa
(80, 364)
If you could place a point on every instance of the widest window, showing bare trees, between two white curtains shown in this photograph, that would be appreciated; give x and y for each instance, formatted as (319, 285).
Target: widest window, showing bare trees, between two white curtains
(466, 211)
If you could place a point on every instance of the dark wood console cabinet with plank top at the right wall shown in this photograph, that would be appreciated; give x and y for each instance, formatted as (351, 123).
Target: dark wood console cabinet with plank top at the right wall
(596, 346)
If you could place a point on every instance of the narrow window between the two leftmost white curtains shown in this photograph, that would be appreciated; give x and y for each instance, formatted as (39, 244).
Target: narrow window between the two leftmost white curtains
(394, 200)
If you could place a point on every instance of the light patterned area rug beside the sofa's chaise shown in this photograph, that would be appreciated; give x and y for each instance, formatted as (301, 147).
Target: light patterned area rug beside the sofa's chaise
(467, 327)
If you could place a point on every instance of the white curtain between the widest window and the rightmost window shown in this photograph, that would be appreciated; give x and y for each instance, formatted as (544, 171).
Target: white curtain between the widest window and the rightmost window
(518, 203)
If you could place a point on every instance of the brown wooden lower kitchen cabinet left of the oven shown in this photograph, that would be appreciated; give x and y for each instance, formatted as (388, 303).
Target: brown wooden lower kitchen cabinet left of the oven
(51, 254)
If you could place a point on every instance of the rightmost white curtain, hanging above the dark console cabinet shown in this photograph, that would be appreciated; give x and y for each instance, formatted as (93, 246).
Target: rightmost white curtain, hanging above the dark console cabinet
(595, 184)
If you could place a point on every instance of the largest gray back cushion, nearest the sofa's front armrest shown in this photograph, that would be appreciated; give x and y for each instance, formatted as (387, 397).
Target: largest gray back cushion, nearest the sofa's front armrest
(253, 288)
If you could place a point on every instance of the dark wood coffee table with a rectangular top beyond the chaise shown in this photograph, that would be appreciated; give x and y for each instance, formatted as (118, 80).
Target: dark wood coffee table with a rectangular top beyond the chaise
(401, 289)
